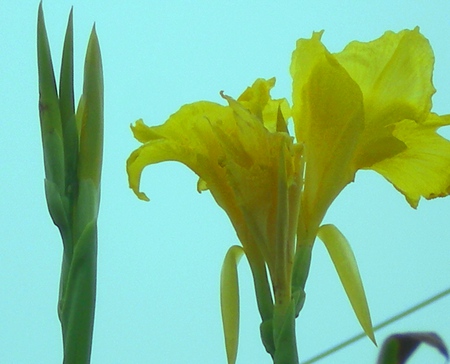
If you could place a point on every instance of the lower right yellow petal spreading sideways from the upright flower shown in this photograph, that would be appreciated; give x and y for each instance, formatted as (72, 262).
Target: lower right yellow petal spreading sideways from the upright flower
(423, 168)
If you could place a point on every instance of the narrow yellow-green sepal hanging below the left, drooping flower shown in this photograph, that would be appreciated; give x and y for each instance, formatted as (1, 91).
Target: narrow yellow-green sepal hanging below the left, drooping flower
(229, 301)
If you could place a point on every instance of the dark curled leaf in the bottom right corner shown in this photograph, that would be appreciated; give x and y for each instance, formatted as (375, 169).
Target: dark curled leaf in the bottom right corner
(398, 348)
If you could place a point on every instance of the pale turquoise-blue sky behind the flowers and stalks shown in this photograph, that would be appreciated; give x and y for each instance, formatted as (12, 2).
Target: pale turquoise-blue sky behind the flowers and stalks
(159, 262)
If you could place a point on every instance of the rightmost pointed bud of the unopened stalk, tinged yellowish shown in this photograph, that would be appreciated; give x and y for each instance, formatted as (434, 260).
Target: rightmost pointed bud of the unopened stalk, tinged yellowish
(91, 136)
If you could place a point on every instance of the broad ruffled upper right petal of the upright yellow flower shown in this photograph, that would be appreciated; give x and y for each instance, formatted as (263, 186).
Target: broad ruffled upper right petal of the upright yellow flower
(394, 73)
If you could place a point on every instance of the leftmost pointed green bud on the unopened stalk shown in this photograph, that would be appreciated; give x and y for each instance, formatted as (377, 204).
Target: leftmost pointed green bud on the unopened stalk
(49, 113)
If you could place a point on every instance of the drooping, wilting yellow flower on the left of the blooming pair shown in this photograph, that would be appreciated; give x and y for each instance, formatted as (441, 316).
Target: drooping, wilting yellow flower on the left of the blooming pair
(244, 156)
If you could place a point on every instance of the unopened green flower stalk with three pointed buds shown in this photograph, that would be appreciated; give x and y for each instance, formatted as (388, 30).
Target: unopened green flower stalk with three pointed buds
(73, 160)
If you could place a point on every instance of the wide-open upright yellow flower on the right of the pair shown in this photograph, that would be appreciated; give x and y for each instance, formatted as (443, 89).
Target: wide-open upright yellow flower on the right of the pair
(367, 107)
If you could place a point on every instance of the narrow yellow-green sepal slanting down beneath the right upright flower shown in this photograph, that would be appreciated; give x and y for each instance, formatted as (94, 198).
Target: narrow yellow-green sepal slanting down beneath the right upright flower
(345, 263)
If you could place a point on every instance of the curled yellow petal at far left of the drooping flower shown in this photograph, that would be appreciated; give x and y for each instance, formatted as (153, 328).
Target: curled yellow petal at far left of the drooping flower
(186, 137)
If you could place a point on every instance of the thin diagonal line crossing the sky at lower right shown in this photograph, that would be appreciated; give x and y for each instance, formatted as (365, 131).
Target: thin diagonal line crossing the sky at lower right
(379, 326)
